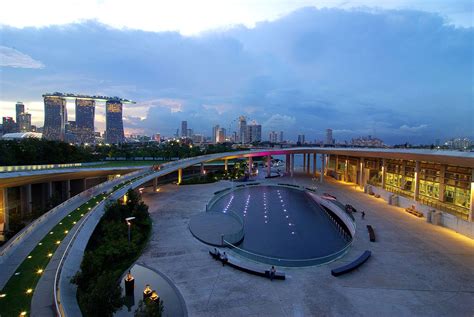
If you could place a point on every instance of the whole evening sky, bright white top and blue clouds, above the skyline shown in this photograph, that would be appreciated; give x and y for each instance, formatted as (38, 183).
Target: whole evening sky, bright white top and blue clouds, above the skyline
(398, 70)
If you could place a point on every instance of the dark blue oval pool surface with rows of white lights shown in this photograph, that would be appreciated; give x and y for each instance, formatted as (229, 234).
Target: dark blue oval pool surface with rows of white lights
(282, 223)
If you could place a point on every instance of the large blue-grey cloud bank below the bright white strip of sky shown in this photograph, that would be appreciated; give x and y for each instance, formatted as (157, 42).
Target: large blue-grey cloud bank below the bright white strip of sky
(405, 75)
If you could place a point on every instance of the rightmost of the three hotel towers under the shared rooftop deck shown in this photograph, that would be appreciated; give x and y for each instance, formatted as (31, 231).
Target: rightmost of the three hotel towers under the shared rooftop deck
(113, 121)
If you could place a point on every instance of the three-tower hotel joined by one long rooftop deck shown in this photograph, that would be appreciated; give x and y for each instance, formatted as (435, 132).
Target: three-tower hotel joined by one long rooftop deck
(55, 117)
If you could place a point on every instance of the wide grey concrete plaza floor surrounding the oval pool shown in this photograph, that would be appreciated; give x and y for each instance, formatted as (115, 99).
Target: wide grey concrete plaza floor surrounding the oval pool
(416, 268)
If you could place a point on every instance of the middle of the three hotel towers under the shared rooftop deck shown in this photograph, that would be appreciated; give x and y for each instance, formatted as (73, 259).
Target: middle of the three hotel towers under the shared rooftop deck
(85, 112)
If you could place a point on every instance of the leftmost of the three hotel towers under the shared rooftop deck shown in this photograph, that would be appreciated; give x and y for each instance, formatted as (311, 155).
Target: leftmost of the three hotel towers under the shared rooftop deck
(55, 117)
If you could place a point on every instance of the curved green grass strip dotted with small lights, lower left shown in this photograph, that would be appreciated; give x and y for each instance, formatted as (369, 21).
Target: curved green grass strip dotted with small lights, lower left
(20, 287)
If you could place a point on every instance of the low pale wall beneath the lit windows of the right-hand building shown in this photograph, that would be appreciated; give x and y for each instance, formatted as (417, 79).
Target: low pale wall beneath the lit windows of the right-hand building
(447, 220)
